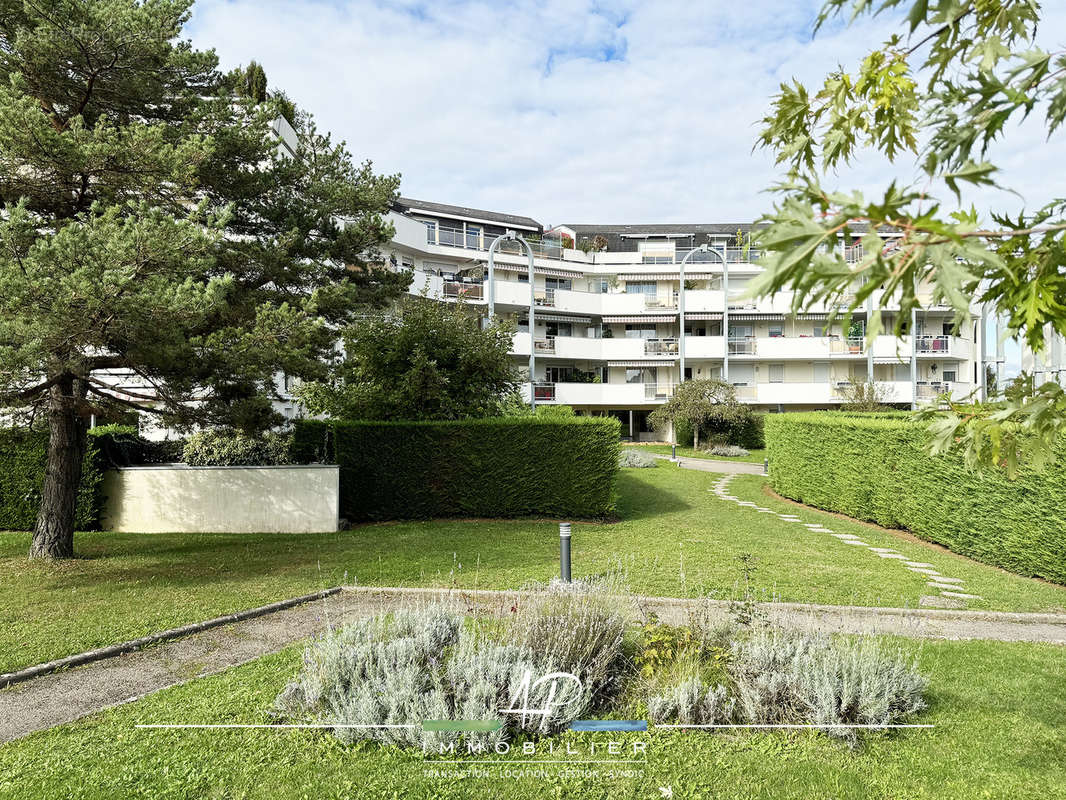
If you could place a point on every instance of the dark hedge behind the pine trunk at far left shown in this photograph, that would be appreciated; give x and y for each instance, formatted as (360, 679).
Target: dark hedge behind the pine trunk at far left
(23, 458)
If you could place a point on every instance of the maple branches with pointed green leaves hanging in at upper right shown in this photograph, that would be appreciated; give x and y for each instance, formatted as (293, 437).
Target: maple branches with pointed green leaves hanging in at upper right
(958, 76)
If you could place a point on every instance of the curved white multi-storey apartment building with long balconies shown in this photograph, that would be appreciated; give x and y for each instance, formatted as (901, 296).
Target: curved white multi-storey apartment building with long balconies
(608, 305)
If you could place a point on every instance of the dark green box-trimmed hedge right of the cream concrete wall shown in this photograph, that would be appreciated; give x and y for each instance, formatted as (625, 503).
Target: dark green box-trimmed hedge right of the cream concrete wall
(499, 468)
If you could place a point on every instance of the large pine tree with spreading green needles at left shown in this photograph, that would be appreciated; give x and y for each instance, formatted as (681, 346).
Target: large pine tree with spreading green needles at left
(153, 236)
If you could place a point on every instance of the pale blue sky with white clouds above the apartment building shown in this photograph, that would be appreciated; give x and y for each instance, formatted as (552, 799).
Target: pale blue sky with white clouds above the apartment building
(566, 110)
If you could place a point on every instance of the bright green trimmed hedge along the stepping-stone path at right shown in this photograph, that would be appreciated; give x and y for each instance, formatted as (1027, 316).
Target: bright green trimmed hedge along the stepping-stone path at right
(876, 468)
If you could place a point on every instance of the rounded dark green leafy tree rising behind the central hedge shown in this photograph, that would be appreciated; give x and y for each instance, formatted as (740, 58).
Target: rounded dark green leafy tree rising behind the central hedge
(423, 360)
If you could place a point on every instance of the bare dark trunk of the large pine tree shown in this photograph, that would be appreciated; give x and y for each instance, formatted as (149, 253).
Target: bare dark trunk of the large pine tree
(68, 435)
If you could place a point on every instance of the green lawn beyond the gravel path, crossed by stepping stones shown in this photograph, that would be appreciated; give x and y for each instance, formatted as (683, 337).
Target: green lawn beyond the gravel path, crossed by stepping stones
(675, 539)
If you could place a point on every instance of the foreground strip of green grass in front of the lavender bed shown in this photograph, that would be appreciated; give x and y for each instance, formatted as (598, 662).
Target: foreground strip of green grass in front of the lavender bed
(998, 711)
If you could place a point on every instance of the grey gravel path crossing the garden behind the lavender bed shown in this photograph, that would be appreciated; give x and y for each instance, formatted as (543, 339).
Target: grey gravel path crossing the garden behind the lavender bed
(64, 697)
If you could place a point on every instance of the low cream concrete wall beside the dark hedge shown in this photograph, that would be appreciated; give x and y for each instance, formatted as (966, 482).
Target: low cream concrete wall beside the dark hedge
(180, 499)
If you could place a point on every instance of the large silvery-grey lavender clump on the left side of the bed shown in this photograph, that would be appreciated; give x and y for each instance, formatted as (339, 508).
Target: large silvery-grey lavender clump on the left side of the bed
(413, 666)
